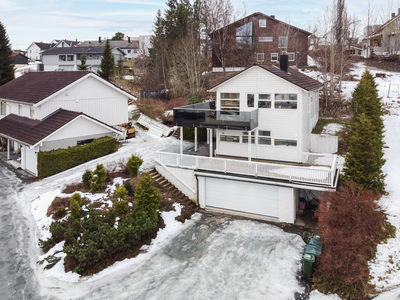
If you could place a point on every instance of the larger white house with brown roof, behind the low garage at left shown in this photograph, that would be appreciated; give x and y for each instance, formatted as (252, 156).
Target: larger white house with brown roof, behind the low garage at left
(38, 94)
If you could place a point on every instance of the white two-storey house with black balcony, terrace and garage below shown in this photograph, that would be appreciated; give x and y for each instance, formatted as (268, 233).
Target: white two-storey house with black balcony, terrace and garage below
(265, 155)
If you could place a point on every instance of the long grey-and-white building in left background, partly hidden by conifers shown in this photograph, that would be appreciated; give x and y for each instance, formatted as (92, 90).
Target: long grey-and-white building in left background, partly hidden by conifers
(68, 59)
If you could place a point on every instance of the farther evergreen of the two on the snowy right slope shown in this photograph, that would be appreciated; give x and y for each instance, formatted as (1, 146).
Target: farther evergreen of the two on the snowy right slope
(366, 101)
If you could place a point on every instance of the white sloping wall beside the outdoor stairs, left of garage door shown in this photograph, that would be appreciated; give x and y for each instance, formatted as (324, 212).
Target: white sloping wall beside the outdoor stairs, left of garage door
(184, 175)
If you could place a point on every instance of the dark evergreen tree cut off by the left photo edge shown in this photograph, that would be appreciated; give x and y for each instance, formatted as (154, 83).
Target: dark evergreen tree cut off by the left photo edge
(6, 57)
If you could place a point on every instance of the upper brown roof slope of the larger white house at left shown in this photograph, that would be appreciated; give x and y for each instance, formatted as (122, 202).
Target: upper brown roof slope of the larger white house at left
(36, 86)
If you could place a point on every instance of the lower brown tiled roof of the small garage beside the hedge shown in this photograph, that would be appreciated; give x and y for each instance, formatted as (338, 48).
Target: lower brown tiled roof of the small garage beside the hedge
(30, 132)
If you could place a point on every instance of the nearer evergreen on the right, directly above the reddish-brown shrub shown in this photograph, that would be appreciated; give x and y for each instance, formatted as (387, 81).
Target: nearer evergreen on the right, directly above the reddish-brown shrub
(364, 161)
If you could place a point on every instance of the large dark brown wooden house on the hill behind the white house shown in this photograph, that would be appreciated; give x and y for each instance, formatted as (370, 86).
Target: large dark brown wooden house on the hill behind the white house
(258, 38)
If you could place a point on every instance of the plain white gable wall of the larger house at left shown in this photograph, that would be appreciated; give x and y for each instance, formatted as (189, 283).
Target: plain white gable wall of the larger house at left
(93, 98)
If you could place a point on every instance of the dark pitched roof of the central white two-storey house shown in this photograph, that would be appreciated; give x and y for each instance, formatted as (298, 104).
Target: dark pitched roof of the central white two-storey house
(295, 77)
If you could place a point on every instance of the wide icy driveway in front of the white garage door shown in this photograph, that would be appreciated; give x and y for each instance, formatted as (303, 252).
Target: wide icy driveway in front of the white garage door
(213, 258)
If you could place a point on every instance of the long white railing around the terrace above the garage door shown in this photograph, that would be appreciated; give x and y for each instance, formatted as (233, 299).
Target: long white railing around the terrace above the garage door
(322, 174)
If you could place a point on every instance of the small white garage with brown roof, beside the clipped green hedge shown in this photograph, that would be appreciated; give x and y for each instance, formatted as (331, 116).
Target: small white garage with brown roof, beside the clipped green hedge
(60, 129)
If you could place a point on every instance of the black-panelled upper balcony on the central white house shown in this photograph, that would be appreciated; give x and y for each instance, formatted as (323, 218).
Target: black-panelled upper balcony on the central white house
(204, 115)
